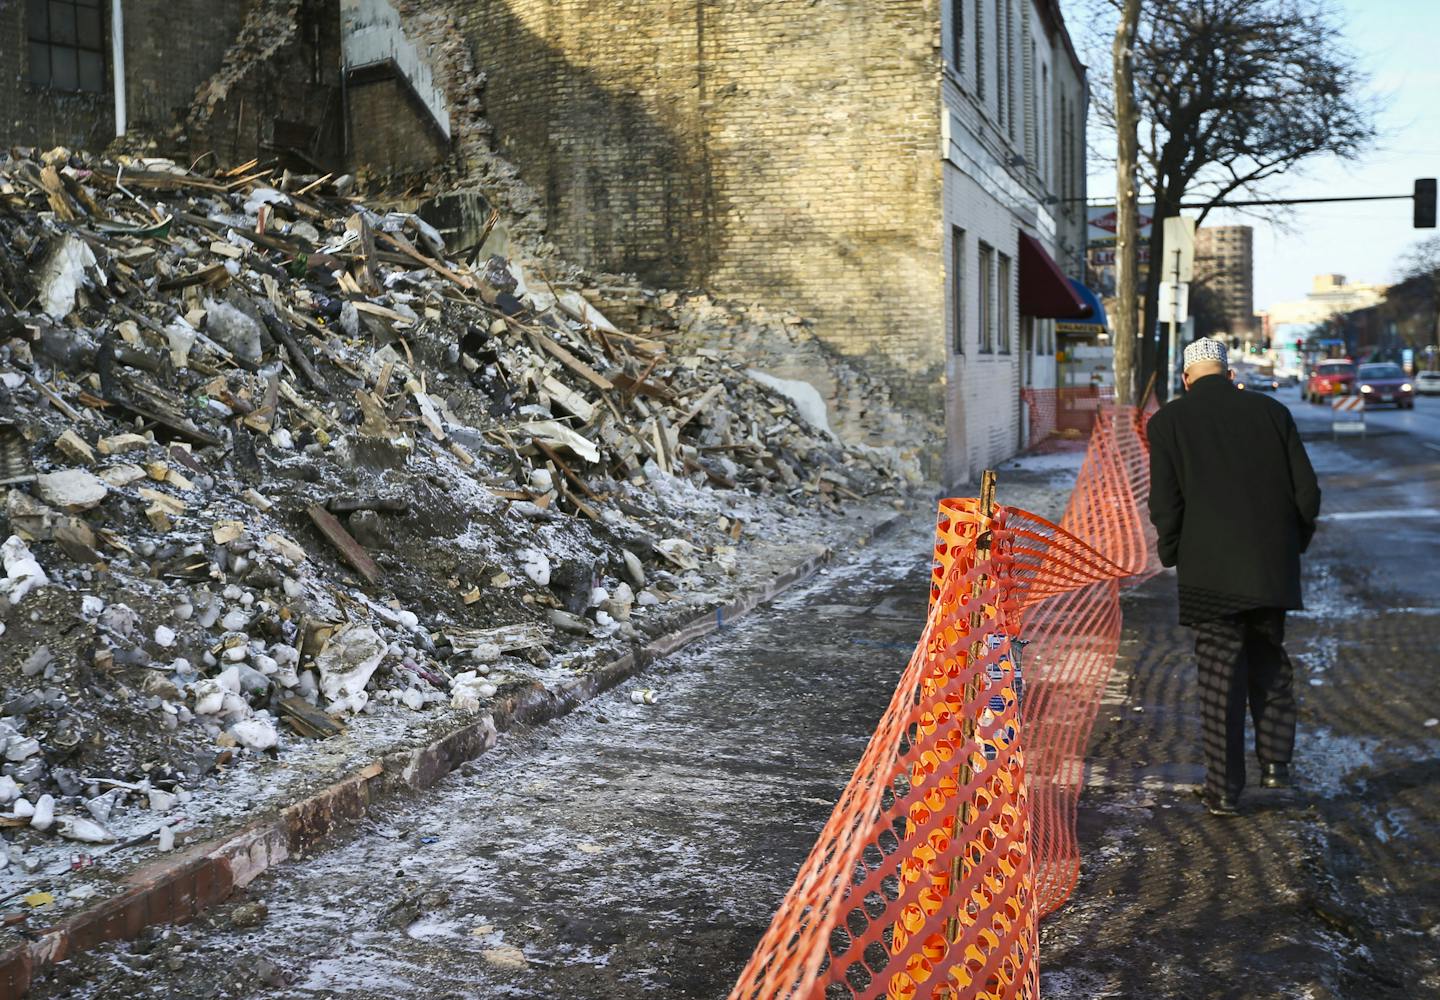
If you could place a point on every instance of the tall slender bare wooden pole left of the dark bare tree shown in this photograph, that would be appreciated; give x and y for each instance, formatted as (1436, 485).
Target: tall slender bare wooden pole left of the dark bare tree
(1127, 204)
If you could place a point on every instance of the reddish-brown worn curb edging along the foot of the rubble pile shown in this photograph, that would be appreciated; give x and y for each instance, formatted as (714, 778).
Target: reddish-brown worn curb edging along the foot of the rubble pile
(179, 887)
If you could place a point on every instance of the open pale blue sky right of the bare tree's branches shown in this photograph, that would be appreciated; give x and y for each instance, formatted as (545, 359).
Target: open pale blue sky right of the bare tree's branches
(1398, 43)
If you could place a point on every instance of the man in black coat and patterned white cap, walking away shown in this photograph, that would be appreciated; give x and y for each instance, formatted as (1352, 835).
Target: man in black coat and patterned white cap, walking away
(1235, 502)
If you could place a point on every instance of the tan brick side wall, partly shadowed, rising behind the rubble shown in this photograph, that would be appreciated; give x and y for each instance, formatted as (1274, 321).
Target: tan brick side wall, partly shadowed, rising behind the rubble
(780, 151)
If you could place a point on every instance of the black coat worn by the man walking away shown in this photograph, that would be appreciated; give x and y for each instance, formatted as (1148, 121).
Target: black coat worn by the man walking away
(1233, 498)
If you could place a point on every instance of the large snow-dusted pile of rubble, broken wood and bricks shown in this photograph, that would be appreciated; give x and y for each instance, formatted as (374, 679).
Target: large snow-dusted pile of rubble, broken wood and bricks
(273, 459)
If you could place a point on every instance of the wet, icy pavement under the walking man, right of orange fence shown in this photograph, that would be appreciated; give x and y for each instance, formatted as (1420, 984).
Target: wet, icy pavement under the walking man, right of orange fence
(1328, 893)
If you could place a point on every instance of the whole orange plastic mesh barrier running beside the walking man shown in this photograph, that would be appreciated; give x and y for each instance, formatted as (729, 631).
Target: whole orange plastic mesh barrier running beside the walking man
(957, 831)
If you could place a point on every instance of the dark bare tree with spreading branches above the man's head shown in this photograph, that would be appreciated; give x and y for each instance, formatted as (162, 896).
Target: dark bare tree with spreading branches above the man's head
(1235, 94)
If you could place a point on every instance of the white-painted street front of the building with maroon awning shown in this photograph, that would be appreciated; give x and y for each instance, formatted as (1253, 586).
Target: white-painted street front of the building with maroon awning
(1014, 145)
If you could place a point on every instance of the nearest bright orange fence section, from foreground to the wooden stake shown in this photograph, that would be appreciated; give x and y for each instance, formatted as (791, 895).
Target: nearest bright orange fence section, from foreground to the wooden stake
(921, 883)
